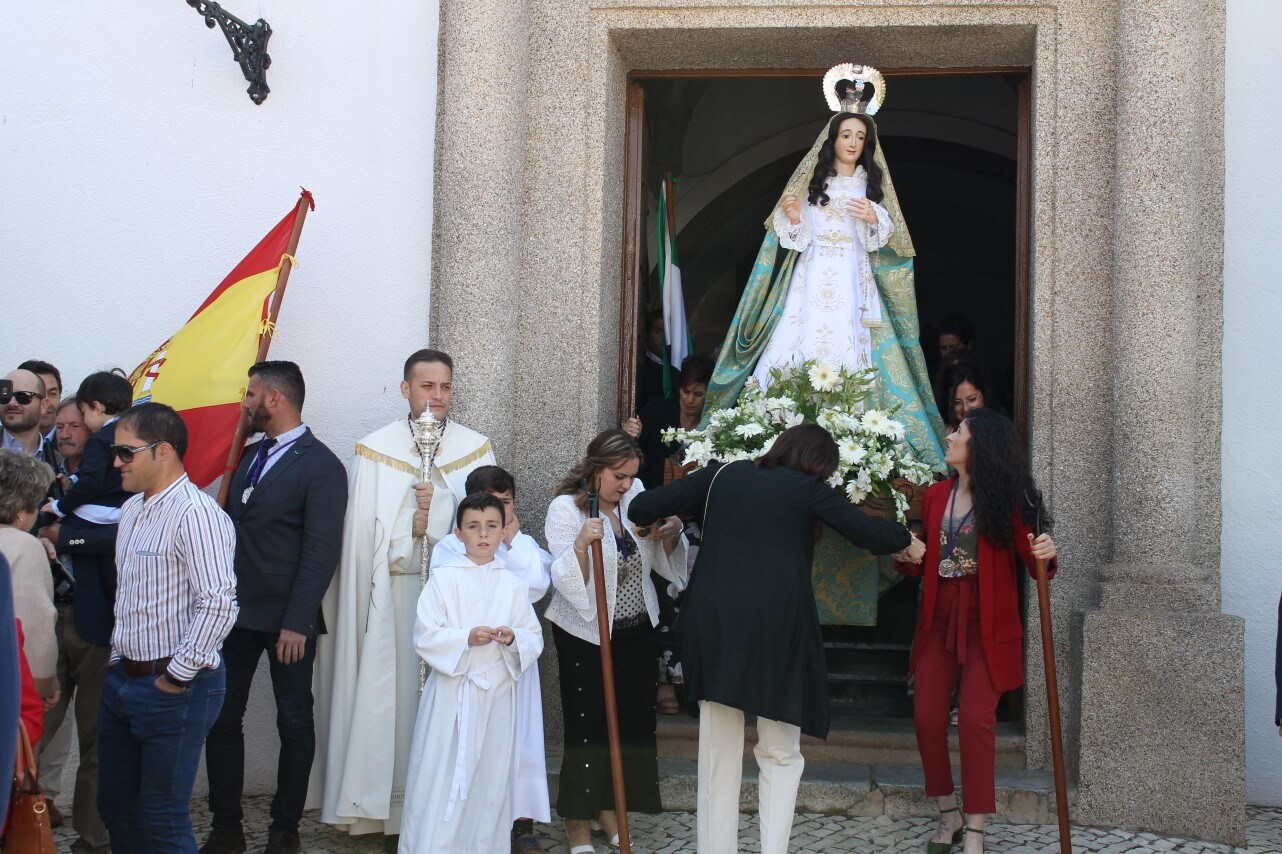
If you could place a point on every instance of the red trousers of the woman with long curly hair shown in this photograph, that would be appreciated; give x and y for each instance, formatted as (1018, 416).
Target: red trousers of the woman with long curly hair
(953, 651)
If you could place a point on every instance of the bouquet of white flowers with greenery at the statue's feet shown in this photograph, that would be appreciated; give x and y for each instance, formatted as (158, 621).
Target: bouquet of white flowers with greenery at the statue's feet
(871, 443)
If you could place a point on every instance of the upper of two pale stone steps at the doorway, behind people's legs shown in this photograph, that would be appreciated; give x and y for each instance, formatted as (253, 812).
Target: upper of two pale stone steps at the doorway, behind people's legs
(861, 742)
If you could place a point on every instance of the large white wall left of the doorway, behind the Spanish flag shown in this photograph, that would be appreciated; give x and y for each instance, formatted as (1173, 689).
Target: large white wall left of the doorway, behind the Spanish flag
(135, 174)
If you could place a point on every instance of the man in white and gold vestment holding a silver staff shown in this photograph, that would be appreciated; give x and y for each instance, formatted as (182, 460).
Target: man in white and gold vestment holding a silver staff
(367, 671)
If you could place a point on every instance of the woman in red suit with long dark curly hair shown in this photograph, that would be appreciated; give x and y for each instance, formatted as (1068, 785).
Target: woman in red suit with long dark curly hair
(979, 526)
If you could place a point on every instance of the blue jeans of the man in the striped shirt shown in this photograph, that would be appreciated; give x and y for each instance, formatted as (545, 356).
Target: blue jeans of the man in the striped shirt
(148, 748)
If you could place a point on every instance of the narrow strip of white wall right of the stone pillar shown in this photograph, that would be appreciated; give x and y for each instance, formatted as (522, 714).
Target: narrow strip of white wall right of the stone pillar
(1253, 352)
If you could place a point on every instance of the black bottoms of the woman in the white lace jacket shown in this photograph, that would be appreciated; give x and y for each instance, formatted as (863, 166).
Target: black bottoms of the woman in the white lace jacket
(587, 787)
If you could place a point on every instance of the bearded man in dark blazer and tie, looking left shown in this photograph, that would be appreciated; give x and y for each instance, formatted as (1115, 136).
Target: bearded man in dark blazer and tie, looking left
(288, 499)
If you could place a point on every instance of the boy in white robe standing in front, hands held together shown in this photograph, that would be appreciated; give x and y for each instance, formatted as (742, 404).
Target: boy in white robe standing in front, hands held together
(479, 634)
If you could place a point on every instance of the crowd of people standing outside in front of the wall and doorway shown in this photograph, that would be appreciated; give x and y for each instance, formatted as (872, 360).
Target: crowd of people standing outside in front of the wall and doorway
(144, 607)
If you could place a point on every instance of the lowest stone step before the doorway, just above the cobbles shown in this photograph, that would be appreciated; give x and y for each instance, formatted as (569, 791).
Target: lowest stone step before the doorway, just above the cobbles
(897, 792)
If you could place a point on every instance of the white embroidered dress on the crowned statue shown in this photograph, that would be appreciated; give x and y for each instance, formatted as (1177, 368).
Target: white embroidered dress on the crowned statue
(833, 299)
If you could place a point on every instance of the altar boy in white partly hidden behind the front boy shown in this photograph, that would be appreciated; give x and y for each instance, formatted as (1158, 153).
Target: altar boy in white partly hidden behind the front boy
(522, 556)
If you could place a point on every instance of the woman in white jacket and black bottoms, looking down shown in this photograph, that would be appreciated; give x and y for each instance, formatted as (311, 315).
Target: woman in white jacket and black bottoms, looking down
(587, 791)
